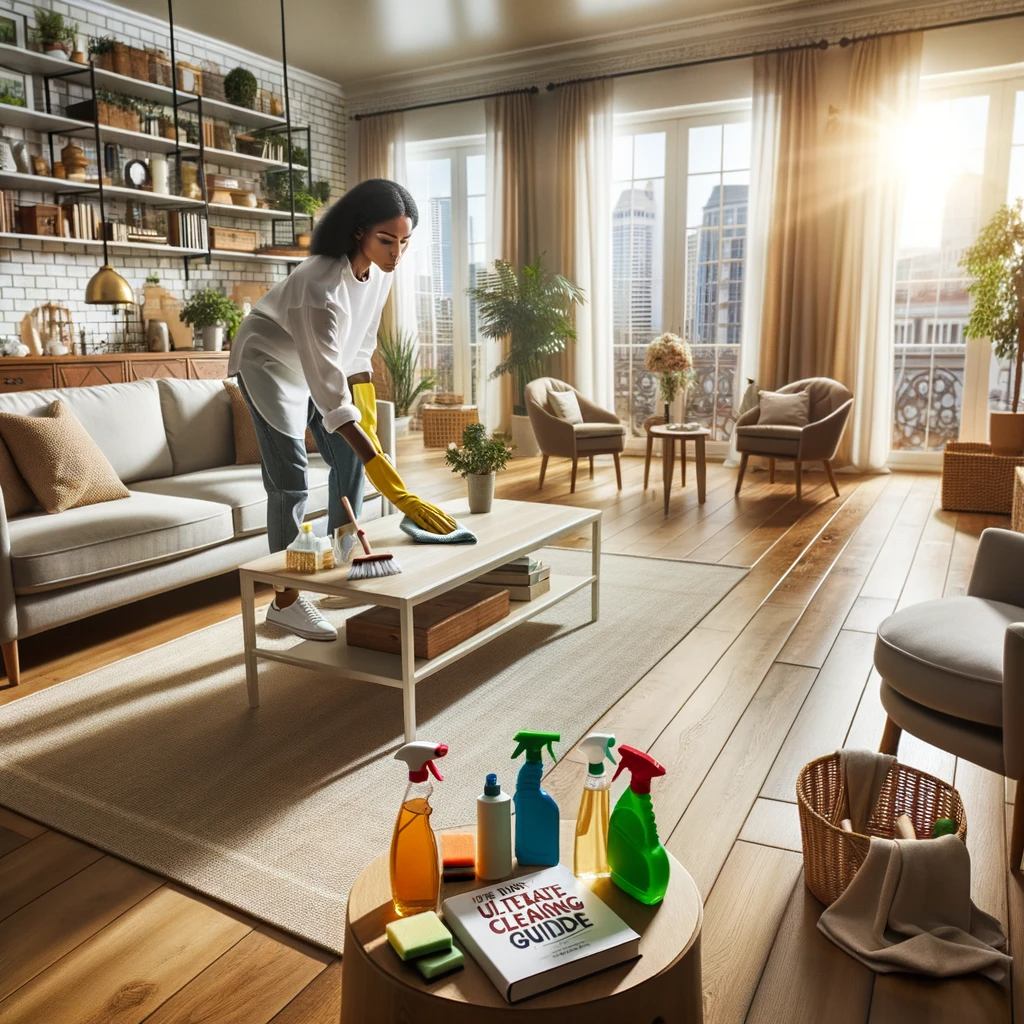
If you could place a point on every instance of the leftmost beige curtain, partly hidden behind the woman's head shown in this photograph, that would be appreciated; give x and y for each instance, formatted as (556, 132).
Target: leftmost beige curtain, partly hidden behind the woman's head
(381, 154)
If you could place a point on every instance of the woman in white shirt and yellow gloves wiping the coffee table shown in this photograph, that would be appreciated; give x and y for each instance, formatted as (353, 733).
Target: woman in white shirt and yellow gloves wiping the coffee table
(304, 359)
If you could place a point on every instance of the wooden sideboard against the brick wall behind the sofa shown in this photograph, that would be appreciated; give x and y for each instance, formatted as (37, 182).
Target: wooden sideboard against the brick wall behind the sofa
(37, 372)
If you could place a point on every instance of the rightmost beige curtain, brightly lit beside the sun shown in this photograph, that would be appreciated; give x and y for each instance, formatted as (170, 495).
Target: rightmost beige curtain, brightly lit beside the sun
(883, 100)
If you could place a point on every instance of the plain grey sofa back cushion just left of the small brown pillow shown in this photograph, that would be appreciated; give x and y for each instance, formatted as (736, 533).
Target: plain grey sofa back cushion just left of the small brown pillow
(198, 423)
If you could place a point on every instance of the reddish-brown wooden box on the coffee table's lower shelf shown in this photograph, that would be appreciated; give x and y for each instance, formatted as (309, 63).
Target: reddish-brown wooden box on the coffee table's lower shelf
(438, 625)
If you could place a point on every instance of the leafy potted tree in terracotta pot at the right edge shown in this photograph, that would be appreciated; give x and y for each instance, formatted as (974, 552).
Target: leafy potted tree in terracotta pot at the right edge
(996, 263)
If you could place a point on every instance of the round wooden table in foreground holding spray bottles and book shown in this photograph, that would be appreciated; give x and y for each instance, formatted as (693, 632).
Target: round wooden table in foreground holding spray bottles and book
(662, 988)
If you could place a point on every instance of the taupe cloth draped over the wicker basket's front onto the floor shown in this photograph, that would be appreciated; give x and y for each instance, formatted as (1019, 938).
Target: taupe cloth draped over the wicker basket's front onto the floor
(910, 909)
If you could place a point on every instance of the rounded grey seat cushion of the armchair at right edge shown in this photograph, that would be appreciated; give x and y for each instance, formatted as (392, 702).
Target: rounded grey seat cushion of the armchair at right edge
(948, 655)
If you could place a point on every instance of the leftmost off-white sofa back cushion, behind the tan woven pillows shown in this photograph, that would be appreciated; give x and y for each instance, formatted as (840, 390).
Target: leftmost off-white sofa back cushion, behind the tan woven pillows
(123, 419)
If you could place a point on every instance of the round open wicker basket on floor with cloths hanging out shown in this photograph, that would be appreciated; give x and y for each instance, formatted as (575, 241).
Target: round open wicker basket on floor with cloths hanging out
(833, 857)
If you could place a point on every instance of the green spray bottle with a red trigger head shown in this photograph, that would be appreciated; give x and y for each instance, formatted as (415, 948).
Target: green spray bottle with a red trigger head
(638, 862)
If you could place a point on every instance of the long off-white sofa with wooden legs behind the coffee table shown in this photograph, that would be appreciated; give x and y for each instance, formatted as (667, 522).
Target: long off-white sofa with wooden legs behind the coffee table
(192, 515)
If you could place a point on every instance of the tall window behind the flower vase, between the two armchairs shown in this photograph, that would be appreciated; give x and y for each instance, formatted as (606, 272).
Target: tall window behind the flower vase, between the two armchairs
(679, 226)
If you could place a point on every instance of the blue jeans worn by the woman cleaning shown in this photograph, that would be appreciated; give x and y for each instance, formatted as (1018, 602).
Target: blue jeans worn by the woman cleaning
(284, 463)
